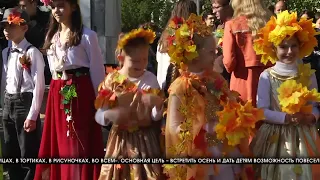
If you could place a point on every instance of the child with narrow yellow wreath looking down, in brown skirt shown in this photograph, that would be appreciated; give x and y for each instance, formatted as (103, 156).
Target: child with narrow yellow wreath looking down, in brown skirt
(130, 98)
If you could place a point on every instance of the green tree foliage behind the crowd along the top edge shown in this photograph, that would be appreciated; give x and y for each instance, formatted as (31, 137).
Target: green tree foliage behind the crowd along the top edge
(136, 12)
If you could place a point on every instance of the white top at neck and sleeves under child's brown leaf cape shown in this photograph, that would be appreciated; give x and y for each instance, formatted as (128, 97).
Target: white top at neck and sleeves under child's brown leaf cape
(145, 82)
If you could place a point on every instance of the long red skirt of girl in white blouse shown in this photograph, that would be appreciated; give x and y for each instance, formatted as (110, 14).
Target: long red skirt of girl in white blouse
(85, 135)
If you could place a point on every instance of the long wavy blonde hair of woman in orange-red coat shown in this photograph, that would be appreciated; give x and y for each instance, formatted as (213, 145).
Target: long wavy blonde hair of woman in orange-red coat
(255, 11)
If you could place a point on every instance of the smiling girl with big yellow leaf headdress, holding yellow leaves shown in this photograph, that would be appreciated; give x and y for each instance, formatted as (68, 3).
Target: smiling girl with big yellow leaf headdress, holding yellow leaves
(286, 91)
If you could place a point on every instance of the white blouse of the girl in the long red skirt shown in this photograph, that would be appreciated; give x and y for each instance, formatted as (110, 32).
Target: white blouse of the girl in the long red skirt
(86, 54)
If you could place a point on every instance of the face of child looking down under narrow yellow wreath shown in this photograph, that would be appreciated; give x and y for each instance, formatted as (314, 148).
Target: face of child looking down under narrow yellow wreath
(136, 60)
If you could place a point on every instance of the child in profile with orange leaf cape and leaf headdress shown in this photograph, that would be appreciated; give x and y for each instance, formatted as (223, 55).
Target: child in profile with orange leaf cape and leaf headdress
(194, 100)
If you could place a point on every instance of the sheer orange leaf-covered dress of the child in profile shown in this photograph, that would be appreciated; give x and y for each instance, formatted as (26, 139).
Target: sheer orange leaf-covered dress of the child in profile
(190, 130)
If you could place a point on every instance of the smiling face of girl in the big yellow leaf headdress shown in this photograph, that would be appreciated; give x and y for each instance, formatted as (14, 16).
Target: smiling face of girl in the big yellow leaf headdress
(288, 50)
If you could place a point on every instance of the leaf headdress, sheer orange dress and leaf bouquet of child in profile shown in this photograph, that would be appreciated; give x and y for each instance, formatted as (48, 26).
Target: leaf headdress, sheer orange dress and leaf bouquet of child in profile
(195, 107)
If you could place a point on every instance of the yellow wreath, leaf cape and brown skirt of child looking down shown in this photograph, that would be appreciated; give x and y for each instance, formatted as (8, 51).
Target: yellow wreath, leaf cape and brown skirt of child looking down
(130, 140)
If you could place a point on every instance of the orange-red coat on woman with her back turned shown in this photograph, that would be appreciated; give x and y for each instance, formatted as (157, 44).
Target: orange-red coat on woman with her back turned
(240, 59)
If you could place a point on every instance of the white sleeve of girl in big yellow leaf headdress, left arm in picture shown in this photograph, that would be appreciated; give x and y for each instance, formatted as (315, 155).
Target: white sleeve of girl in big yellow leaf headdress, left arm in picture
(263, 101)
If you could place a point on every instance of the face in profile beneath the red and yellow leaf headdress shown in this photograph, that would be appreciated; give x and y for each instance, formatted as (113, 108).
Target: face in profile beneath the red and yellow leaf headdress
(207, 54)
